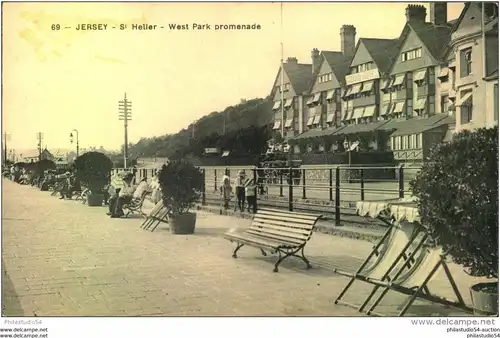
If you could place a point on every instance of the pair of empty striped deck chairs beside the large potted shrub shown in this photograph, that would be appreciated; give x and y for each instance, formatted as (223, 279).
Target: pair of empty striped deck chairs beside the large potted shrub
(402, 261)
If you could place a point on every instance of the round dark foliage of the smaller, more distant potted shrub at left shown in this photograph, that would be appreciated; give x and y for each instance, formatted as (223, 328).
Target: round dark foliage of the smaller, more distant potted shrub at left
(93, 170)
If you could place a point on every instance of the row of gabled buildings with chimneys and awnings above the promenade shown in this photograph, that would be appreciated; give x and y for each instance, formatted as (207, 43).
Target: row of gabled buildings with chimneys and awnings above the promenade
(402, 95)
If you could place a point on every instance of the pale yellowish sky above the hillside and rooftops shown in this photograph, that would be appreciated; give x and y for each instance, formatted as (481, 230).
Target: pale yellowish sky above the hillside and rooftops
(55, 81)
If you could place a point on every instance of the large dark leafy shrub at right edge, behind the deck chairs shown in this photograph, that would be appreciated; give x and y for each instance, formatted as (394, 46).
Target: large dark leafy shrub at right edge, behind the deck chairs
(457, 191)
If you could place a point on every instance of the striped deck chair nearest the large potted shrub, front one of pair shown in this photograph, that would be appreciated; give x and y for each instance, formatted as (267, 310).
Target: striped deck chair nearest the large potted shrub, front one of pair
(413, 282)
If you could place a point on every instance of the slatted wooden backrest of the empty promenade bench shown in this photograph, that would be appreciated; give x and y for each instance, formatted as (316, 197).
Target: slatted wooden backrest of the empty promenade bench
(292, 227)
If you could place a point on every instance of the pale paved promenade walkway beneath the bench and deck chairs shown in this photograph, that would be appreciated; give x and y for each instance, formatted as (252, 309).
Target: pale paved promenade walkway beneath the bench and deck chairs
(65, 258)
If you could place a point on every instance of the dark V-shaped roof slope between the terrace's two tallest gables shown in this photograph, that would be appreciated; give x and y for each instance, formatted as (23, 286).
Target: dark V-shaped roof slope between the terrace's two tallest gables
(383, 51)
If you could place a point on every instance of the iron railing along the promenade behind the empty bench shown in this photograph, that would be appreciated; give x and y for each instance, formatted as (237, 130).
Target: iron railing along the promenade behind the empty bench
(333, 190)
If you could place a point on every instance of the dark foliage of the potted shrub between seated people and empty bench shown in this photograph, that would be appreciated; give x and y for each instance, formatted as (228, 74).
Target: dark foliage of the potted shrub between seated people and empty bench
(181, 185)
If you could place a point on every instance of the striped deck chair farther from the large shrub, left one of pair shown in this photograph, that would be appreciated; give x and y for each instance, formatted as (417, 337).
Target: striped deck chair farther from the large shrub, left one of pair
(380, 264)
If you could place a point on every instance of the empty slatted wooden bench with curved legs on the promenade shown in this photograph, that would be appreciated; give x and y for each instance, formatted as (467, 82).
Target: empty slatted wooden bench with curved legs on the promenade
(284, 232)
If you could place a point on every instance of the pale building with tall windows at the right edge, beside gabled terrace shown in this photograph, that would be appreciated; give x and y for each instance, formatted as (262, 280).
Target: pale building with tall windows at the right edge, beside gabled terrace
(472, 56)
